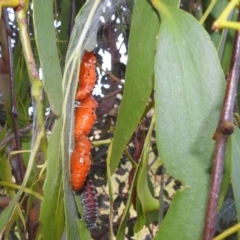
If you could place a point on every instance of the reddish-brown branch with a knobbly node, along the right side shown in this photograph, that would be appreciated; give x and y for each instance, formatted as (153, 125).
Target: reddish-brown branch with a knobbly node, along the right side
(224, 130)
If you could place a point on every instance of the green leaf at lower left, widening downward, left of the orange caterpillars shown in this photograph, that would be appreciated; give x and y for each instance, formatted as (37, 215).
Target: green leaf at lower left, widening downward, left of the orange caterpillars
(52, 204)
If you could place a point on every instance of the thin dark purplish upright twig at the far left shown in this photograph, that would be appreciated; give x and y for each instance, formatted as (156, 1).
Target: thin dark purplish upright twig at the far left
(13, 111)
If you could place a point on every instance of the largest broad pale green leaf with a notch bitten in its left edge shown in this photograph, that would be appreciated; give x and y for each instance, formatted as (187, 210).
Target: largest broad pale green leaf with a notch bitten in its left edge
(189, 89)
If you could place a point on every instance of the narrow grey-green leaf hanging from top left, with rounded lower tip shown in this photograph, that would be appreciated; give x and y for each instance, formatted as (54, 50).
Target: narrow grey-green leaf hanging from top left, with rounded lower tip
(48, 53)
